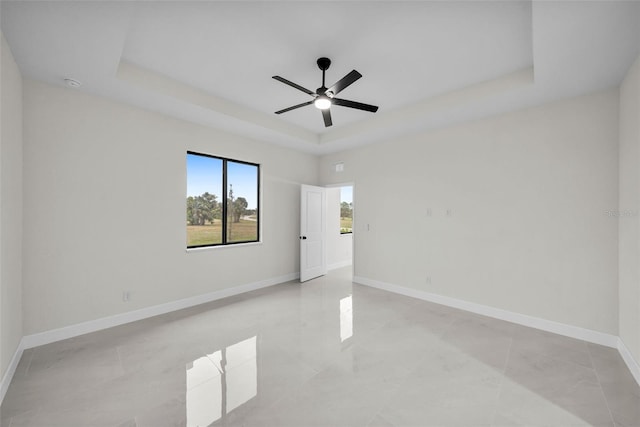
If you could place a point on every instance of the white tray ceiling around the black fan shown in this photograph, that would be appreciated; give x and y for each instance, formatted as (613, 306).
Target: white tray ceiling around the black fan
(424, 63)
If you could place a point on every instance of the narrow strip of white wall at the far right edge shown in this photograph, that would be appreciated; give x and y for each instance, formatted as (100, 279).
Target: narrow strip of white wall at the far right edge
(629, 210)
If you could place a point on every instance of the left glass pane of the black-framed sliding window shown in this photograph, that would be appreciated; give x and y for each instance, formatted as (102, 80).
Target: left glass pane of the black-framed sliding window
(204, 200)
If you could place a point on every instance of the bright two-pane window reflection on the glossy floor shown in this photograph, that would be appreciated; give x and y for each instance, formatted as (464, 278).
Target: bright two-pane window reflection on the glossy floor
(220, 382)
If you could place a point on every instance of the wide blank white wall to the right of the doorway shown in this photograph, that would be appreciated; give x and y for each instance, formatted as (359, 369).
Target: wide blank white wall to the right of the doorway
(527, 192)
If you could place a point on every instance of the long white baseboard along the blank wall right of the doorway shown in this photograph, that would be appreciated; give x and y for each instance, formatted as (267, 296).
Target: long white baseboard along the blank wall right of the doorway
(588, 335)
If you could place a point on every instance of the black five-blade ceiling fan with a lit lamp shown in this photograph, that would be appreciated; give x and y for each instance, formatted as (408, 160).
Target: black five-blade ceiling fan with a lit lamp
(324, 98)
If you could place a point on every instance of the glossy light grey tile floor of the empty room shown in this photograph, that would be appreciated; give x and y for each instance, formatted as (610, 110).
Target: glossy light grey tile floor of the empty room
(323, 353)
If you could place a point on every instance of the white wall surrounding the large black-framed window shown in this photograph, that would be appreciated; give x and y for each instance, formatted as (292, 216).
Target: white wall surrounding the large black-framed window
(104, 209)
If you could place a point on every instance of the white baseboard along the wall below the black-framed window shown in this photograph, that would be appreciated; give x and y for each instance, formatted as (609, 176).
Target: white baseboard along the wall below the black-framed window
(71, 331)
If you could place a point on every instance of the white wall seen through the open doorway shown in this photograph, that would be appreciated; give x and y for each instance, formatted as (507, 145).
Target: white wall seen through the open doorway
(339, 246)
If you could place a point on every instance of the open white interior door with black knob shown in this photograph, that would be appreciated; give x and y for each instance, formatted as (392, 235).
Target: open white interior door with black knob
(313, 259)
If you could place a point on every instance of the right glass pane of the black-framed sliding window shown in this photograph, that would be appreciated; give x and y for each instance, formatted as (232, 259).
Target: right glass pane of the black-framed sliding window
(242, 202)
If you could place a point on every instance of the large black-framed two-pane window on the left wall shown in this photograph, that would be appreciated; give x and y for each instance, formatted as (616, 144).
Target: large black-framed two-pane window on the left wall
(223, 199)
